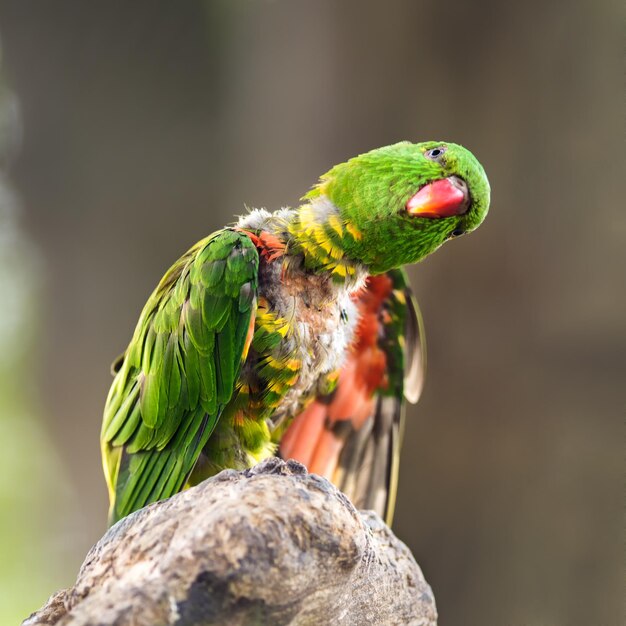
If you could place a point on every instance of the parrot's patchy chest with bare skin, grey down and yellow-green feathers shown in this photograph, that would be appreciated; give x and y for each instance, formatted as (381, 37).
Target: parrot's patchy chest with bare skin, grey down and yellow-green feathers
(304, 326)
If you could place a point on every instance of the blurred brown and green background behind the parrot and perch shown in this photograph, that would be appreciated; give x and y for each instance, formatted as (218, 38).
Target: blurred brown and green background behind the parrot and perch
(130, 130)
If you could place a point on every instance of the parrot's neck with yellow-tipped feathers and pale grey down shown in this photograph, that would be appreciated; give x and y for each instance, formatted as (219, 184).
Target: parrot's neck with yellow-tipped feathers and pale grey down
(314, 235)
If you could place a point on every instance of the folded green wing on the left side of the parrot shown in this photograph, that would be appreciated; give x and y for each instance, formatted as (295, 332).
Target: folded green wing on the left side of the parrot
(179, 371)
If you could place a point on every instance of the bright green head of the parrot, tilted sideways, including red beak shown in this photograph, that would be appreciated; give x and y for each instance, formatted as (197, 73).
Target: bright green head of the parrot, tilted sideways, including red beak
(401, 202)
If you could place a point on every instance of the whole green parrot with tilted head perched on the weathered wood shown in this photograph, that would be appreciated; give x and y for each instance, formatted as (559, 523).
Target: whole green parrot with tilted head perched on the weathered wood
(291, 334)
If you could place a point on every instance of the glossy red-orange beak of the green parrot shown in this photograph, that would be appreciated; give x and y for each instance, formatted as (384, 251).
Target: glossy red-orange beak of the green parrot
(441, 198)
